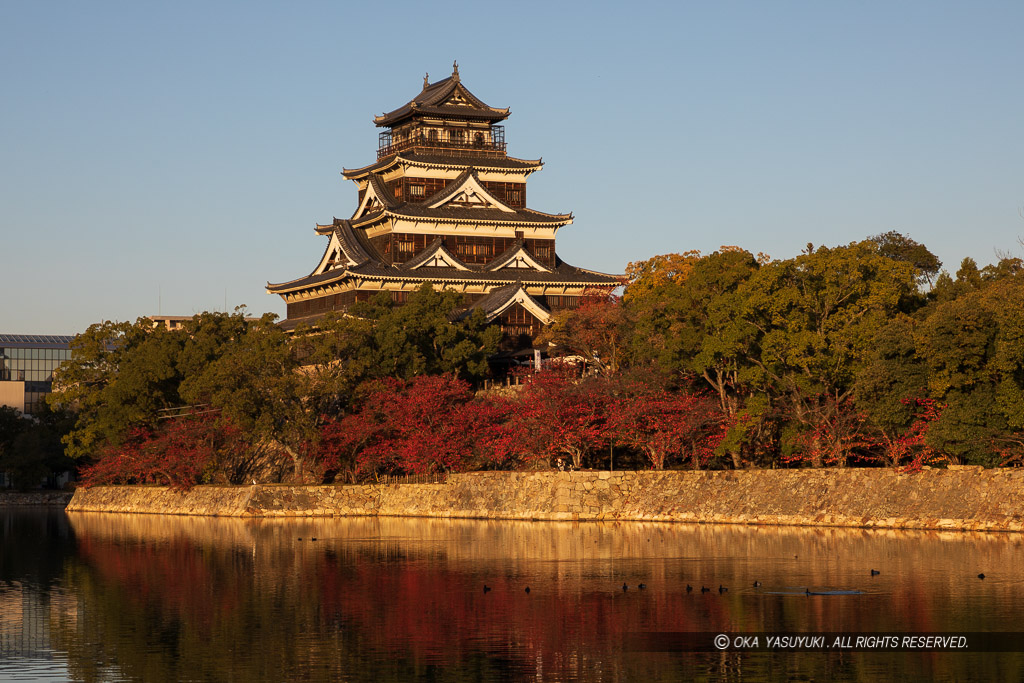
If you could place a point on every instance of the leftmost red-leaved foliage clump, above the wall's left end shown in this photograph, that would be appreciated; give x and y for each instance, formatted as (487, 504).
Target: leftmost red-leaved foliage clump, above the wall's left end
(185, 452)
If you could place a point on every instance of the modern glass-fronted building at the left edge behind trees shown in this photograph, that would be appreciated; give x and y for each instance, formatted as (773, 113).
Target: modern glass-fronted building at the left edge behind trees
(27, 365)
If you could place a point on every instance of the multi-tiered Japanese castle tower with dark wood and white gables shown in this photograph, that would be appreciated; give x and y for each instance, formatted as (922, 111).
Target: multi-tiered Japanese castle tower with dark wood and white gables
(445, 204)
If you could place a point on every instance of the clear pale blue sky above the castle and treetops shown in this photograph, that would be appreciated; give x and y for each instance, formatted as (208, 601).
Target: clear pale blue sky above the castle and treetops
(174, 157)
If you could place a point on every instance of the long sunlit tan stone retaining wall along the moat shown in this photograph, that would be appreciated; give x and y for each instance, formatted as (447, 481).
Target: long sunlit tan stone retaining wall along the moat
(965, 498)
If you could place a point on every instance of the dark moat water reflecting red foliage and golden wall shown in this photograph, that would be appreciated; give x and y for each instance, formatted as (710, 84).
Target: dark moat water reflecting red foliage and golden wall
(104, 597)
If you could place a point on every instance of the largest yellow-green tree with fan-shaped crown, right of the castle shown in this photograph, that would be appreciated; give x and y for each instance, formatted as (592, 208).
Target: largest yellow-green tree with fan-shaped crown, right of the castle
(817, 317)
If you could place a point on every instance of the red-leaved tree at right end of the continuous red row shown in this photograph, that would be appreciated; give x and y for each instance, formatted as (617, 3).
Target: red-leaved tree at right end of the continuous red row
(667, 425)
